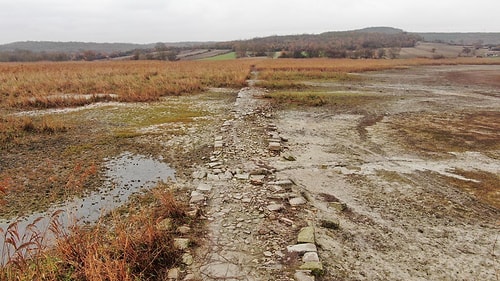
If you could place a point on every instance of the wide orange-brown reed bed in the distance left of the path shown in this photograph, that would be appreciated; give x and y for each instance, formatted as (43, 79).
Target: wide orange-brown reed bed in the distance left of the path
(47, 85)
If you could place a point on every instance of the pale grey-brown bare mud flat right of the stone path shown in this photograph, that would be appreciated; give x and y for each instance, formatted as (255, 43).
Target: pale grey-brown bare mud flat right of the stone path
(415, 191)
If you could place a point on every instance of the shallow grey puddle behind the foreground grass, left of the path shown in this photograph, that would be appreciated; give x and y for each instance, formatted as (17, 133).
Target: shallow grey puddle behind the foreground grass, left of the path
(126, 175)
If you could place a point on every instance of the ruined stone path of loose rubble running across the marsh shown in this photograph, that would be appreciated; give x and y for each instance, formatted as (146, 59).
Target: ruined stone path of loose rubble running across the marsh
(253, 217)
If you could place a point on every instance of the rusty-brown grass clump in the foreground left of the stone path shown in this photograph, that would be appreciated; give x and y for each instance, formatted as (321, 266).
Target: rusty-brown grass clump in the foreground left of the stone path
(132, 248)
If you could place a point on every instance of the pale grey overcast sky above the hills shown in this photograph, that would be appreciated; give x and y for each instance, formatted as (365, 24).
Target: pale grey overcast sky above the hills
(150, 21)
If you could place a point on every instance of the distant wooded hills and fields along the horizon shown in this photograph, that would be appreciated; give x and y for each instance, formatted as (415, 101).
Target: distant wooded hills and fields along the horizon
(370, 42)
